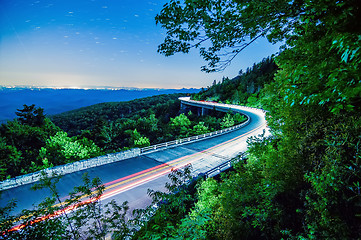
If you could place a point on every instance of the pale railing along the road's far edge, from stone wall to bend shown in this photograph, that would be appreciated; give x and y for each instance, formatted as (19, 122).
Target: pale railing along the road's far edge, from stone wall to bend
(193, 138)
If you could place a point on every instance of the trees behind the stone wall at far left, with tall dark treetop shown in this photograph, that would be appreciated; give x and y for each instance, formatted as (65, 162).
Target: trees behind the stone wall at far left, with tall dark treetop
(33, 142)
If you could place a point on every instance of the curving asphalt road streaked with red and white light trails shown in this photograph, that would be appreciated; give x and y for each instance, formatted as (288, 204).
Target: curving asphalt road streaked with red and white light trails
(129, 180)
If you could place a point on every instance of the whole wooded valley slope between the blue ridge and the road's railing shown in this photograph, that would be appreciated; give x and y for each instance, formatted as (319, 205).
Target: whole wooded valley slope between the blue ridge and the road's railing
(157, 119)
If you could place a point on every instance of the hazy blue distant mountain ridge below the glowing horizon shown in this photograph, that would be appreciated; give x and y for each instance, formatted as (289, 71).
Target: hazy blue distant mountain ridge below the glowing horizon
(58, 100)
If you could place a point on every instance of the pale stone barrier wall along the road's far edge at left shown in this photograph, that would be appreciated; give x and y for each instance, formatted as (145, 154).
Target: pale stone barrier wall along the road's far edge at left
(70, 167)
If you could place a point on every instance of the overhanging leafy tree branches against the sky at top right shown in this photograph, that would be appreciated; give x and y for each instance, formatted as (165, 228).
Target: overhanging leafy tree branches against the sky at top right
(222, 29)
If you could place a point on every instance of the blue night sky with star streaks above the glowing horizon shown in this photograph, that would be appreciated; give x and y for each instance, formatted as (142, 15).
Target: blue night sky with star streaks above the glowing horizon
(94, 43)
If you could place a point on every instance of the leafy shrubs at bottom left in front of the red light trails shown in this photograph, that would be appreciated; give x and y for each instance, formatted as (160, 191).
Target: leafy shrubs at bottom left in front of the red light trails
(88, 220)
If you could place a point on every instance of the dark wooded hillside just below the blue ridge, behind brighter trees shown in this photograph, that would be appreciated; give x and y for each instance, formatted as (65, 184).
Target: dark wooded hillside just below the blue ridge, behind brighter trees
(162, 106)
